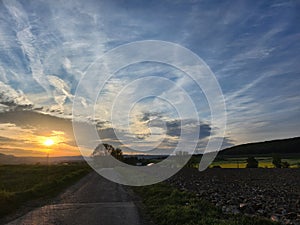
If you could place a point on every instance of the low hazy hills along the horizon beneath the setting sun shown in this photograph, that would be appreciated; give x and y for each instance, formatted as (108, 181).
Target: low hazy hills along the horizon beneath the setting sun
(10, 159)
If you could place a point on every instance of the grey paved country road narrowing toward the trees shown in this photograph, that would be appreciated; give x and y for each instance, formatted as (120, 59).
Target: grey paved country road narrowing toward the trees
(93, 200)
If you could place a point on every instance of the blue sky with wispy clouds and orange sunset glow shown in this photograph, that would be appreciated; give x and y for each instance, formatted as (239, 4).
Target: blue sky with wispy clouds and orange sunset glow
(47, 47)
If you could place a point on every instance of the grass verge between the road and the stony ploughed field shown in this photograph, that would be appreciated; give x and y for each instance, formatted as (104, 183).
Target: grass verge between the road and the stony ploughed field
(167, 205)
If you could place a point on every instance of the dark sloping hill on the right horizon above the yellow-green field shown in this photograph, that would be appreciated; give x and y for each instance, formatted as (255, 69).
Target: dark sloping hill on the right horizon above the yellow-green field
(284, 146)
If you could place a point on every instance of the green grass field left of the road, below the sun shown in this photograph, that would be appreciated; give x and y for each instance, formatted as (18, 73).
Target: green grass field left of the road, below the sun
(22, 183)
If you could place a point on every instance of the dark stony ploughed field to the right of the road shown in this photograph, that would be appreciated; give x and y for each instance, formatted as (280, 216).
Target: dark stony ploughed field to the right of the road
(270, 193)
